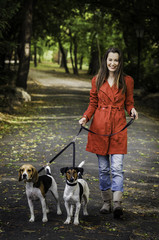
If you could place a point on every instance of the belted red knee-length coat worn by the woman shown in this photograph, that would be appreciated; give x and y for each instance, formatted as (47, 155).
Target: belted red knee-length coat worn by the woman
(108, 106)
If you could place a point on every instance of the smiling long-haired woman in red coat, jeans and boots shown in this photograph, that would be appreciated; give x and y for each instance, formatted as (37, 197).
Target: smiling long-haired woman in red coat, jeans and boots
(111, 93)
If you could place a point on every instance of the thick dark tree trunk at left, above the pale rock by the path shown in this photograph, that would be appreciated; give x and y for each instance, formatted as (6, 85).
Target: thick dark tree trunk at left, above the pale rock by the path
(24, 58)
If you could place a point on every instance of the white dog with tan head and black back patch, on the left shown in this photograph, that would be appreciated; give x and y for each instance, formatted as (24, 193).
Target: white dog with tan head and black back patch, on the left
(37, 187)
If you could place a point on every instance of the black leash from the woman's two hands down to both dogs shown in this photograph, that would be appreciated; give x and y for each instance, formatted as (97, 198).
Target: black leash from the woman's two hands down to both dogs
(73, 142)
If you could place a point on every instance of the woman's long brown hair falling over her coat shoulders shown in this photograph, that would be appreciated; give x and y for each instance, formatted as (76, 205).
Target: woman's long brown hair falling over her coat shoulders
(104, 72)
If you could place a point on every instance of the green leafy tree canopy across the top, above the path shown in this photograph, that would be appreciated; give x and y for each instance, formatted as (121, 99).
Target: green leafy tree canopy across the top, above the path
(83, 28)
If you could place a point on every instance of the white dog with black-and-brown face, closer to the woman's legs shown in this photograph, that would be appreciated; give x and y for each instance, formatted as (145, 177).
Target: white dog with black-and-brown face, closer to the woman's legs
(76, 190)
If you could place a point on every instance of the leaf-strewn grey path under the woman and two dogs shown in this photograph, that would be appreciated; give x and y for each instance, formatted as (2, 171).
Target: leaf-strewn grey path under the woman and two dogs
(39, 131)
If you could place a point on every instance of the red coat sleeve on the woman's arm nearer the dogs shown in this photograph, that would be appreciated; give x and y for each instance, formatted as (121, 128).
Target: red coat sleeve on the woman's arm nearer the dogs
(93, 103)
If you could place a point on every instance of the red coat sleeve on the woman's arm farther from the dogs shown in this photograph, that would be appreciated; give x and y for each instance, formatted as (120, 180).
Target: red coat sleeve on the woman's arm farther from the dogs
(129, 101)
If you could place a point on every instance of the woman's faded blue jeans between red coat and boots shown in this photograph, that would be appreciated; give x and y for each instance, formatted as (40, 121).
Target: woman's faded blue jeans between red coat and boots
(113, 180)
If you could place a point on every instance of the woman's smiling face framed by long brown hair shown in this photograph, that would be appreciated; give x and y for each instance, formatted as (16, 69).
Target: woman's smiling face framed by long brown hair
(112, 61)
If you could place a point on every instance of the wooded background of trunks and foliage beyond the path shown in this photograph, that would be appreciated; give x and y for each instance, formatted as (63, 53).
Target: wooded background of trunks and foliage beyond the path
(76, 34)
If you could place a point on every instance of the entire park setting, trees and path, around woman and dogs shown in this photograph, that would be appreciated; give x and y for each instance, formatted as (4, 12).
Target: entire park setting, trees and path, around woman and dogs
(49, 51)
